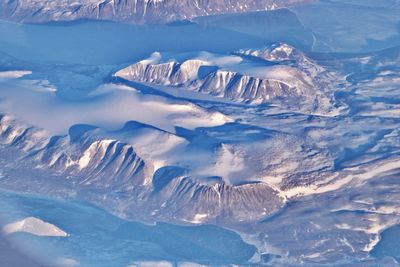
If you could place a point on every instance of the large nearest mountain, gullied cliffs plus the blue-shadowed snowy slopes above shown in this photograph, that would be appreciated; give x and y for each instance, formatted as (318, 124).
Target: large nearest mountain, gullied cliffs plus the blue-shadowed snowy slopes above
(235, 175)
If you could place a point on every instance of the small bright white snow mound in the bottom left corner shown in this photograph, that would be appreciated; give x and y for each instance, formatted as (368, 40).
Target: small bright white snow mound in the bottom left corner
(34, 226)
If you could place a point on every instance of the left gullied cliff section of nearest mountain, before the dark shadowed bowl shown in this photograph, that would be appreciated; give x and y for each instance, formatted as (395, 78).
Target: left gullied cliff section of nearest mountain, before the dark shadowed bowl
(98, 161)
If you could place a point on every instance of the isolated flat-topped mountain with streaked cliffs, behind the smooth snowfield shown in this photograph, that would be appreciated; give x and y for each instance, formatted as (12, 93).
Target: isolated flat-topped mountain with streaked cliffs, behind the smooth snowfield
(278, 74)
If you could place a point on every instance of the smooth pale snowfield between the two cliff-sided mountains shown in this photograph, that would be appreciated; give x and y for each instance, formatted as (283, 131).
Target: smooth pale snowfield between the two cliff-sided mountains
(44, 109)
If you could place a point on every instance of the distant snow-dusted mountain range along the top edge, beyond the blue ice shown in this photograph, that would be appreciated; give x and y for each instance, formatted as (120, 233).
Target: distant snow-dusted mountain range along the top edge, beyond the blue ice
(137, 11)
